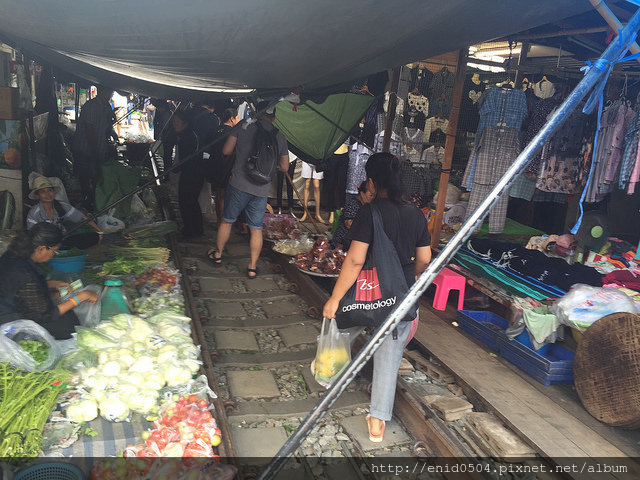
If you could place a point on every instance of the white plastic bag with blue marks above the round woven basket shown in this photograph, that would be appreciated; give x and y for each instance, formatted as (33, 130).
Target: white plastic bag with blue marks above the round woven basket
(584, 304)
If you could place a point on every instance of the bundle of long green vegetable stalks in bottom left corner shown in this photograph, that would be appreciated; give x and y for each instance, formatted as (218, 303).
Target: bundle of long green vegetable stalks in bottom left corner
(26, 401)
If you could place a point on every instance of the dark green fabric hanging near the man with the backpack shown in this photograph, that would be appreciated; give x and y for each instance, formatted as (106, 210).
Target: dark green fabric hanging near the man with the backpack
(315, 130)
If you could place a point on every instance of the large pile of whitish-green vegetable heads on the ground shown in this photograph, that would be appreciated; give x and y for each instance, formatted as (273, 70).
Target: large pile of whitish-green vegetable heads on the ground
(126, 361)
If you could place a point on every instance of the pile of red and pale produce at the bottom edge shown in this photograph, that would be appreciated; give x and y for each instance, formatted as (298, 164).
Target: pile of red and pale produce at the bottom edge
(185, 428)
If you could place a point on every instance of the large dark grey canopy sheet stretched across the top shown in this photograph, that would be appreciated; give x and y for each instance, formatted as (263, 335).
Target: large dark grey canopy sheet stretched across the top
(190, 48)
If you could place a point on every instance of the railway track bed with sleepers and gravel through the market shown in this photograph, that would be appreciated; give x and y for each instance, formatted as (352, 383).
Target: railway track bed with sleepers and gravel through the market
(258, 339)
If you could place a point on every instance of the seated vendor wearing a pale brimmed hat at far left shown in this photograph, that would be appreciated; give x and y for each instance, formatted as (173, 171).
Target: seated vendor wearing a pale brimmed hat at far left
(50, 210)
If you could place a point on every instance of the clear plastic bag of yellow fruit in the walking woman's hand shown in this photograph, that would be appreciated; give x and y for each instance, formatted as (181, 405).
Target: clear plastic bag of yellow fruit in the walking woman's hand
(333, 354)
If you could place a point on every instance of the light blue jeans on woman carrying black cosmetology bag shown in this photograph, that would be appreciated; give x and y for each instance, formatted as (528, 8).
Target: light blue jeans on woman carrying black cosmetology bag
(386, 363)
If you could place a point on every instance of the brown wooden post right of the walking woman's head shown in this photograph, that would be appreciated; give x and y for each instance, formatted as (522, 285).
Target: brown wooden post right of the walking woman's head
(449, 144)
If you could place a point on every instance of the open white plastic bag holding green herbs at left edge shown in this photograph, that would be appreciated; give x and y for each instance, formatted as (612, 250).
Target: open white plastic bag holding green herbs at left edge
(10, 351)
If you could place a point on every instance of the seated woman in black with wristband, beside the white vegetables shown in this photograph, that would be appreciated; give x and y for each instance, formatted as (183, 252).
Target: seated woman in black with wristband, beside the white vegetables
(25, 294)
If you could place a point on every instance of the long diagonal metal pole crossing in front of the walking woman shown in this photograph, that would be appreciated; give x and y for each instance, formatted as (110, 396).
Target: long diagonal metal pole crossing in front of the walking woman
(468, 227)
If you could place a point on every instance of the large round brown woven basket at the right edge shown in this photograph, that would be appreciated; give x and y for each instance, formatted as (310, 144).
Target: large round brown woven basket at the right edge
(606, 370)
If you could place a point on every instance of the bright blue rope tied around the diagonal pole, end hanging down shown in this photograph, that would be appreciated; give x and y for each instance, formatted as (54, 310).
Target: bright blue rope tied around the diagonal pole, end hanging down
(597, 98)
